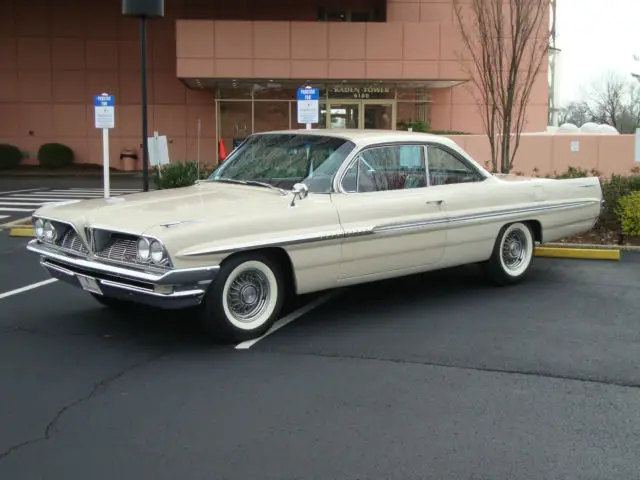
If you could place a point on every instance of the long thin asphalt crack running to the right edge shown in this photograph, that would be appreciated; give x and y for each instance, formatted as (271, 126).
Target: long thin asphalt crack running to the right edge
(530, 373)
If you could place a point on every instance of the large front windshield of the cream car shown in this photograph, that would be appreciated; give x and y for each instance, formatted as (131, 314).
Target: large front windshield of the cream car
(282, 160)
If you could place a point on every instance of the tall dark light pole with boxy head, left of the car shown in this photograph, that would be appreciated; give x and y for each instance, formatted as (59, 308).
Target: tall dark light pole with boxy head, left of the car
(144, 9)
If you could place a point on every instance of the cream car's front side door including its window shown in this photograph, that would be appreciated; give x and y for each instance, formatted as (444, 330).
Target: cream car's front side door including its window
(393, 222)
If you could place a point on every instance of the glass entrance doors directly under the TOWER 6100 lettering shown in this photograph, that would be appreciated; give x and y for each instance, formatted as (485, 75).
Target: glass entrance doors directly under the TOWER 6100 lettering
(362, 114)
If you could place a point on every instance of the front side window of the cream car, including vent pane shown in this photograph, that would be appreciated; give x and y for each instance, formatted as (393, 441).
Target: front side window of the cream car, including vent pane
(393, 167)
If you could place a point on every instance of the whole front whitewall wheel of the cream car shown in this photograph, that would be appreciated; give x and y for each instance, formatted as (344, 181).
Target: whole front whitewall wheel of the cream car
(245, 299)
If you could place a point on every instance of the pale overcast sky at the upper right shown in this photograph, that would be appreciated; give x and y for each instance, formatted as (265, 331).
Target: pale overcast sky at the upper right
(595, 35)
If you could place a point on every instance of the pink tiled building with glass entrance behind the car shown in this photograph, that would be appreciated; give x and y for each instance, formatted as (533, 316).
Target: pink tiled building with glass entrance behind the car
(235, 66)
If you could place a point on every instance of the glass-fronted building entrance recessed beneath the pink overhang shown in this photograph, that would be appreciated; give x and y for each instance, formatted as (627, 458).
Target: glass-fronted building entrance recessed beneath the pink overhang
(245, 106)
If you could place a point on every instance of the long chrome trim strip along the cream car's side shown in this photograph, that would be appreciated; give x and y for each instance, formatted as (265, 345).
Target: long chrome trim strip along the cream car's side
(446, 221)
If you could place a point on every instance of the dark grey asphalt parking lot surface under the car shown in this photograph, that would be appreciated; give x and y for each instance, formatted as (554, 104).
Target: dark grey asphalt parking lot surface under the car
(437, 376)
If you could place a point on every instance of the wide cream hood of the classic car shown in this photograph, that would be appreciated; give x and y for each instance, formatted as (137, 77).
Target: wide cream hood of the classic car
(139, 212)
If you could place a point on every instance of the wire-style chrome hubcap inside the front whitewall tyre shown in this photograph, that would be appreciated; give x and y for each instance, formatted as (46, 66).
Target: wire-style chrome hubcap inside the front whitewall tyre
(248, 295)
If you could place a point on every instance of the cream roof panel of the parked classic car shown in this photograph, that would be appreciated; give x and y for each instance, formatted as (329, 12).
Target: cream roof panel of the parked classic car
(368, 136)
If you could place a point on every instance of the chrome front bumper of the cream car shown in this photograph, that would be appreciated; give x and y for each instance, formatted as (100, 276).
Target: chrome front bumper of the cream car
(173, 277)
